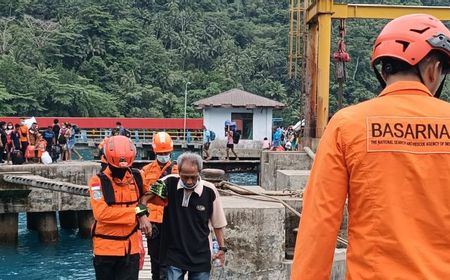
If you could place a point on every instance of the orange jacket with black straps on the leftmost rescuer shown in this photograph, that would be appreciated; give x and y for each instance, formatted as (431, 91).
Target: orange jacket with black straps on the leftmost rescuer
(117, 219)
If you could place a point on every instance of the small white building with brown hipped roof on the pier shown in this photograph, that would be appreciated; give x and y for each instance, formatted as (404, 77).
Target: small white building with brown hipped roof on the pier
(252, 113)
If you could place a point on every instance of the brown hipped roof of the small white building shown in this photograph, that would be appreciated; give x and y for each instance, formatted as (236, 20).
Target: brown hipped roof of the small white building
(237, 98)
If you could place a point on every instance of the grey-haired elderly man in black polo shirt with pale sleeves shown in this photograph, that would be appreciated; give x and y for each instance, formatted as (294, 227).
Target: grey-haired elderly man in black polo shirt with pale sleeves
(191, 204)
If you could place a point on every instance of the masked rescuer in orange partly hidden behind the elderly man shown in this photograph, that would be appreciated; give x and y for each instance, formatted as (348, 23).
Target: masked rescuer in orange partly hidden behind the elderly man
(162, 166)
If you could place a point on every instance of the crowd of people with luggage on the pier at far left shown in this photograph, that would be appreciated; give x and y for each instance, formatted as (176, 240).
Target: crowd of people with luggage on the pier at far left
(26, 142)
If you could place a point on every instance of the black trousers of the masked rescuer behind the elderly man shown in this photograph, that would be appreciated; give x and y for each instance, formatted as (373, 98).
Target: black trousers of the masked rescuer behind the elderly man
(154, 244)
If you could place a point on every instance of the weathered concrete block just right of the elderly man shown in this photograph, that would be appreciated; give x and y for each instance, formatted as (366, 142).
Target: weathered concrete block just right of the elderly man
(255, 238)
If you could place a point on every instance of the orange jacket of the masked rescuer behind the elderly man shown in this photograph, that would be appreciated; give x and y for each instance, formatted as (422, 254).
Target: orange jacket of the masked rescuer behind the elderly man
(152, 172)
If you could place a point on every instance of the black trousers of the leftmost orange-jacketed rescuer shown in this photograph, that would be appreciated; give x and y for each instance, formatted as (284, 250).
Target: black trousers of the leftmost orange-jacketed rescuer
(117, 268)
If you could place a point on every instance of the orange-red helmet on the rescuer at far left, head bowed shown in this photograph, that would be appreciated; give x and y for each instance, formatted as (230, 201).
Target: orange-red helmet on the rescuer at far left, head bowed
(119, 151)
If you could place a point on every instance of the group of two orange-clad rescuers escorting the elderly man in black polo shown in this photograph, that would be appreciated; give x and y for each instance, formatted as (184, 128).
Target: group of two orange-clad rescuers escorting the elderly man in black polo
(164, 201)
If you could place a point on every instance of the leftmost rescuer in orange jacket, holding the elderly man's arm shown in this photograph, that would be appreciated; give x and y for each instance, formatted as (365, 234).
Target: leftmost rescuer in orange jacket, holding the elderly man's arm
(114, 199)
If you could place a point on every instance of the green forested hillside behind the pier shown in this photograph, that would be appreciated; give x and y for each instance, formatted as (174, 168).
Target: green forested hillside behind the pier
(133, 58)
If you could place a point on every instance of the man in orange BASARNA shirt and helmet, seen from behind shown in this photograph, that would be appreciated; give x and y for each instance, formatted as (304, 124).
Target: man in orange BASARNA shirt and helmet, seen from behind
(390, 156)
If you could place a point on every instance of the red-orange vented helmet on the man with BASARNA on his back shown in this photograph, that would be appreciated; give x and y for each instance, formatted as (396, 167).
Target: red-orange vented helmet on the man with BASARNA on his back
(410, 38)
